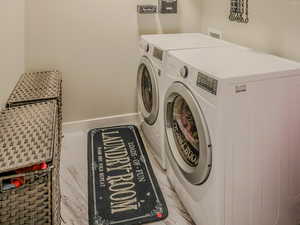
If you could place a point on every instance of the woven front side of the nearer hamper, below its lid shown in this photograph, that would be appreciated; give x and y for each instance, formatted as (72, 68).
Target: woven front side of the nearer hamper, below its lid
(29, 204)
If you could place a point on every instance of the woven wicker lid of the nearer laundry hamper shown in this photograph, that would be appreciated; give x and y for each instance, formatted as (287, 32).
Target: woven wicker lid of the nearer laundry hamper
(27, 135)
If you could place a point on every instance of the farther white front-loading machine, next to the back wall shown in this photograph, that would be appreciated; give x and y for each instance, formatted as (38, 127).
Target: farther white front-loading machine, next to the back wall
(153, 50)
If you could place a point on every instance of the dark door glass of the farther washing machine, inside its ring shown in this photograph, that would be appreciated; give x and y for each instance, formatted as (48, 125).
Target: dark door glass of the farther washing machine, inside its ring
(147, 91)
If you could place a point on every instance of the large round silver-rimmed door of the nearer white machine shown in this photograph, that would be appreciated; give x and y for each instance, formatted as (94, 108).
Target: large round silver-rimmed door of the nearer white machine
(187, 134)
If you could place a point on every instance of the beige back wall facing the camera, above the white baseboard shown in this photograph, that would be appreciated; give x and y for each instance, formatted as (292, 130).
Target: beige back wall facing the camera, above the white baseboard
(95, 44)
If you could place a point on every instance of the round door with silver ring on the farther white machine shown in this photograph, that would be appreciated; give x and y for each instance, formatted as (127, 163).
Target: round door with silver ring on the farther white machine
(148, 91)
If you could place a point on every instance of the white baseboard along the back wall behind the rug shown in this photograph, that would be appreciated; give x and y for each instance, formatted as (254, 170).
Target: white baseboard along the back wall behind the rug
(85, 125)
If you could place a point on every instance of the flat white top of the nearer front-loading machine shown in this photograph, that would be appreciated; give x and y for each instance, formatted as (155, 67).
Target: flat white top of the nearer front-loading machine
(235, 63)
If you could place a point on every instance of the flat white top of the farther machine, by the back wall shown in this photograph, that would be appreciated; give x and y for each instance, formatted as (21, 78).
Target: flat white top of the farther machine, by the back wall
(183, 41)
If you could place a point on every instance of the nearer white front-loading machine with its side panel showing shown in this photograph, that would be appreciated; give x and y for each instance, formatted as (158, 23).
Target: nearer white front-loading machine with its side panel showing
(232, 121)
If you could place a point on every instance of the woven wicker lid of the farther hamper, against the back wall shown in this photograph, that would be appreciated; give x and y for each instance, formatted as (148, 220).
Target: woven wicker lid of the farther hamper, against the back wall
(37, 86)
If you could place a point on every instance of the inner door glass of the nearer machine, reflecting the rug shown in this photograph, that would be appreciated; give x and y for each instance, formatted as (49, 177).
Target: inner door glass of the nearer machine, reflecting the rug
(185, 132)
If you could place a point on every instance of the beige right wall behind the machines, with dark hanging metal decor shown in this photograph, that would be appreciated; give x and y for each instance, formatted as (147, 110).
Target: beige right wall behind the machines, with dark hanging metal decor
(274, 25)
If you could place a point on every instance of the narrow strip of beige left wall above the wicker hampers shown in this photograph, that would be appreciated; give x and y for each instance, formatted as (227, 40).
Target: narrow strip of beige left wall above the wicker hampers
(11, 45)
